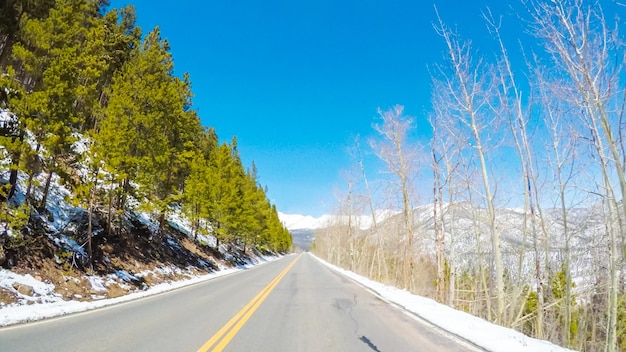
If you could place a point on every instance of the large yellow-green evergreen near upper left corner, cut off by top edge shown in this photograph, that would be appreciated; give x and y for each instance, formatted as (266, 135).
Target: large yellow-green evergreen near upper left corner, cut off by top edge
(60, 59)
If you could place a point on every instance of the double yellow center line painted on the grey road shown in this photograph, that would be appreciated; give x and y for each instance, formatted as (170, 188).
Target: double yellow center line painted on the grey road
(226, 333)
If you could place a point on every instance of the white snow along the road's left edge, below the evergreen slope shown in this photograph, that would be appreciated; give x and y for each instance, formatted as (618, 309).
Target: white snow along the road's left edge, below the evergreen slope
(47, 304)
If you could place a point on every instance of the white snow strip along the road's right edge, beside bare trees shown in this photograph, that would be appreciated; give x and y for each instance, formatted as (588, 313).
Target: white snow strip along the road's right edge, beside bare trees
(489, 336)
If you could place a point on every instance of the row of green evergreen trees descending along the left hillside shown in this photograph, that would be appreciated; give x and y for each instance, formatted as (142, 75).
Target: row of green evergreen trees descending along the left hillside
(73, 69)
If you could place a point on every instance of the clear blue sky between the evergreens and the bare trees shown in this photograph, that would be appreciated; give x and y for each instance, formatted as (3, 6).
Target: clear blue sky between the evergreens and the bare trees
(295, 81)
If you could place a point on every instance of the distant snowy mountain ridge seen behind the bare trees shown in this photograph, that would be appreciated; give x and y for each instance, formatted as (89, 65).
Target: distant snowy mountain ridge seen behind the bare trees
(462, 221)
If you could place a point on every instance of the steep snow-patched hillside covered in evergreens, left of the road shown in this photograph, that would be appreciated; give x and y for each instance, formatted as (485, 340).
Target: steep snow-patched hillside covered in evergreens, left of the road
(90, 104)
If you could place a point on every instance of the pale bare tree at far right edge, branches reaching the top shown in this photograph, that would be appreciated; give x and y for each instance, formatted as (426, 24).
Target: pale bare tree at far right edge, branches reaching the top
(581, 44)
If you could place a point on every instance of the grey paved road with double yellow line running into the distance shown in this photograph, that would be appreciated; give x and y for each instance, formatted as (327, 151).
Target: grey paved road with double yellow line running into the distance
(293, 304)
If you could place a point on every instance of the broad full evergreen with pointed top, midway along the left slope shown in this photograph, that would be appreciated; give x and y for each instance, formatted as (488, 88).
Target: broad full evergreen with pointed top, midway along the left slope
(149, 133)
